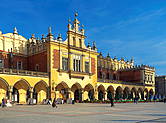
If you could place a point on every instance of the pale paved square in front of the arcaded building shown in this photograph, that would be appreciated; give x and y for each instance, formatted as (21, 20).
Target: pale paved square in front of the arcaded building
(85, 113)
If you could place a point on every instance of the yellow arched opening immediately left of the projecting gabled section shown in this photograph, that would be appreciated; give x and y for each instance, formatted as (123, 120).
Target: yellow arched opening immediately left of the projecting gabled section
(40, 91)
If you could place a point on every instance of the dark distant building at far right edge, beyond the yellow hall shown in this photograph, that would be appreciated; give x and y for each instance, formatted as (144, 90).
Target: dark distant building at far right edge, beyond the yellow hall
(160, 86)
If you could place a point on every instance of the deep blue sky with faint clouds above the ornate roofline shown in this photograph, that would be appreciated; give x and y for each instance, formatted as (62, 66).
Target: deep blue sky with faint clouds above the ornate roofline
(124, 28)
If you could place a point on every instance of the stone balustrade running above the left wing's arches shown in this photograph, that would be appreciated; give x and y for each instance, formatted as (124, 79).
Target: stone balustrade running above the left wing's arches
(22, 72)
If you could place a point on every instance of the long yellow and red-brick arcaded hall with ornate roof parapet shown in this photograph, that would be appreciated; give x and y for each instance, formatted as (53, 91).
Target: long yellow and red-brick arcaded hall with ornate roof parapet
(49, 67)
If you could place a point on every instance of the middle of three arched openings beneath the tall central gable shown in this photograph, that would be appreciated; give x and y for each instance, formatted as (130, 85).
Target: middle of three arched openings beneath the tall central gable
(77, 90)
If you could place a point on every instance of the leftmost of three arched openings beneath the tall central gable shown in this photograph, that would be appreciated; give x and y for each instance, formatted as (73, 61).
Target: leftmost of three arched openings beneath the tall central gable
(62, 88)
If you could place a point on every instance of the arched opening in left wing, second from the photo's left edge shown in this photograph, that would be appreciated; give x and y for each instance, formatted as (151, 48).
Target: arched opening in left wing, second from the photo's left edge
(21, 91)
